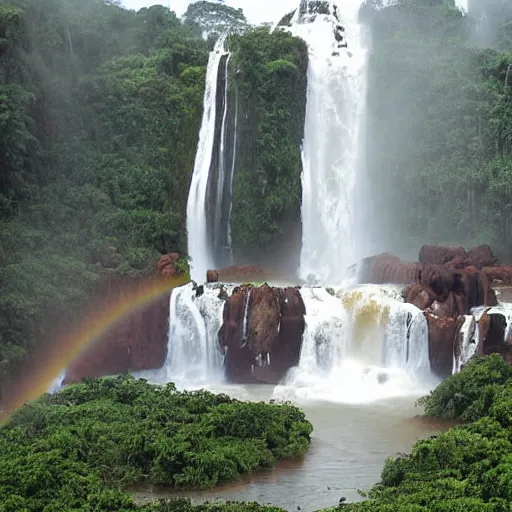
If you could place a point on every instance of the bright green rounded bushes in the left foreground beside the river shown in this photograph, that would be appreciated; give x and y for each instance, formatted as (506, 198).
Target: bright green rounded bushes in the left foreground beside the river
(76, 449)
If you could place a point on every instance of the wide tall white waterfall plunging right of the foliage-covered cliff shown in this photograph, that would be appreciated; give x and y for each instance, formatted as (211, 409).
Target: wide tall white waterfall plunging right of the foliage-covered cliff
(332, 180)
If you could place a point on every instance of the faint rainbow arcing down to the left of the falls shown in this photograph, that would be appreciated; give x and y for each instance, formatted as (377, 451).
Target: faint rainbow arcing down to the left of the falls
(37, 377)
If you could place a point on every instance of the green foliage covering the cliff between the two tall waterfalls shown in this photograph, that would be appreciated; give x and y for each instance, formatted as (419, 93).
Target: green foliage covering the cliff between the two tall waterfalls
(270, 87)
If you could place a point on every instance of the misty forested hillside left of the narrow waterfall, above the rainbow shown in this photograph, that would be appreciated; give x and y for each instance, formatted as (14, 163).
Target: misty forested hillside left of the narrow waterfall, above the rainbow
(99, 114)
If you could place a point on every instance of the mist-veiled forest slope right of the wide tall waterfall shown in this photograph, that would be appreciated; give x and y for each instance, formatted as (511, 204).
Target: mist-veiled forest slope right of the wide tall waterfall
(439, 139)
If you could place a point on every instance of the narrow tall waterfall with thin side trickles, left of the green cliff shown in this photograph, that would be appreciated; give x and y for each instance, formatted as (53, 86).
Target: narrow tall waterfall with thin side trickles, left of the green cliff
(209, 199)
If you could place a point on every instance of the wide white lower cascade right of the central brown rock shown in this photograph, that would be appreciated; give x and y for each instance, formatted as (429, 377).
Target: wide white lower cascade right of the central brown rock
(359, 345)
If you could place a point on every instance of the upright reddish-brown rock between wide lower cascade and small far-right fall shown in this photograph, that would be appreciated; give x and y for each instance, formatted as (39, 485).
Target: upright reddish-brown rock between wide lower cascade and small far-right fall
(441, 338)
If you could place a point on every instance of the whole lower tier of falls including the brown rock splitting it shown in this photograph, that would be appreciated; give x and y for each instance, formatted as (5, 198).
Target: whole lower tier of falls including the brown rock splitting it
(355, 344)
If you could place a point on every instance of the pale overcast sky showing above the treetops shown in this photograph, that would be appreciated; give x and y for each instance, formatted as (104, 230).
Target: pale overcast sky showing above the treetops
(256, 11)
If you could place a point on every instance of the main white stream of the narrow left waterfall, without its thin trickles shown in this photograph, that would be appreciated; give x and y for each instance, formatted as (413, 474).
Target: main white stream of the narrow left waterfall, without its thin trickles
(199, 248)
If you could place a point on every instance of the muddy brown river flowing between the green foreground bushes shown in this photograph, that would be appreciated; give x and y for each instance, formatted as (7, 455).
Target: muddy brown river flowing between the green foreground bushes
(349, 446)
